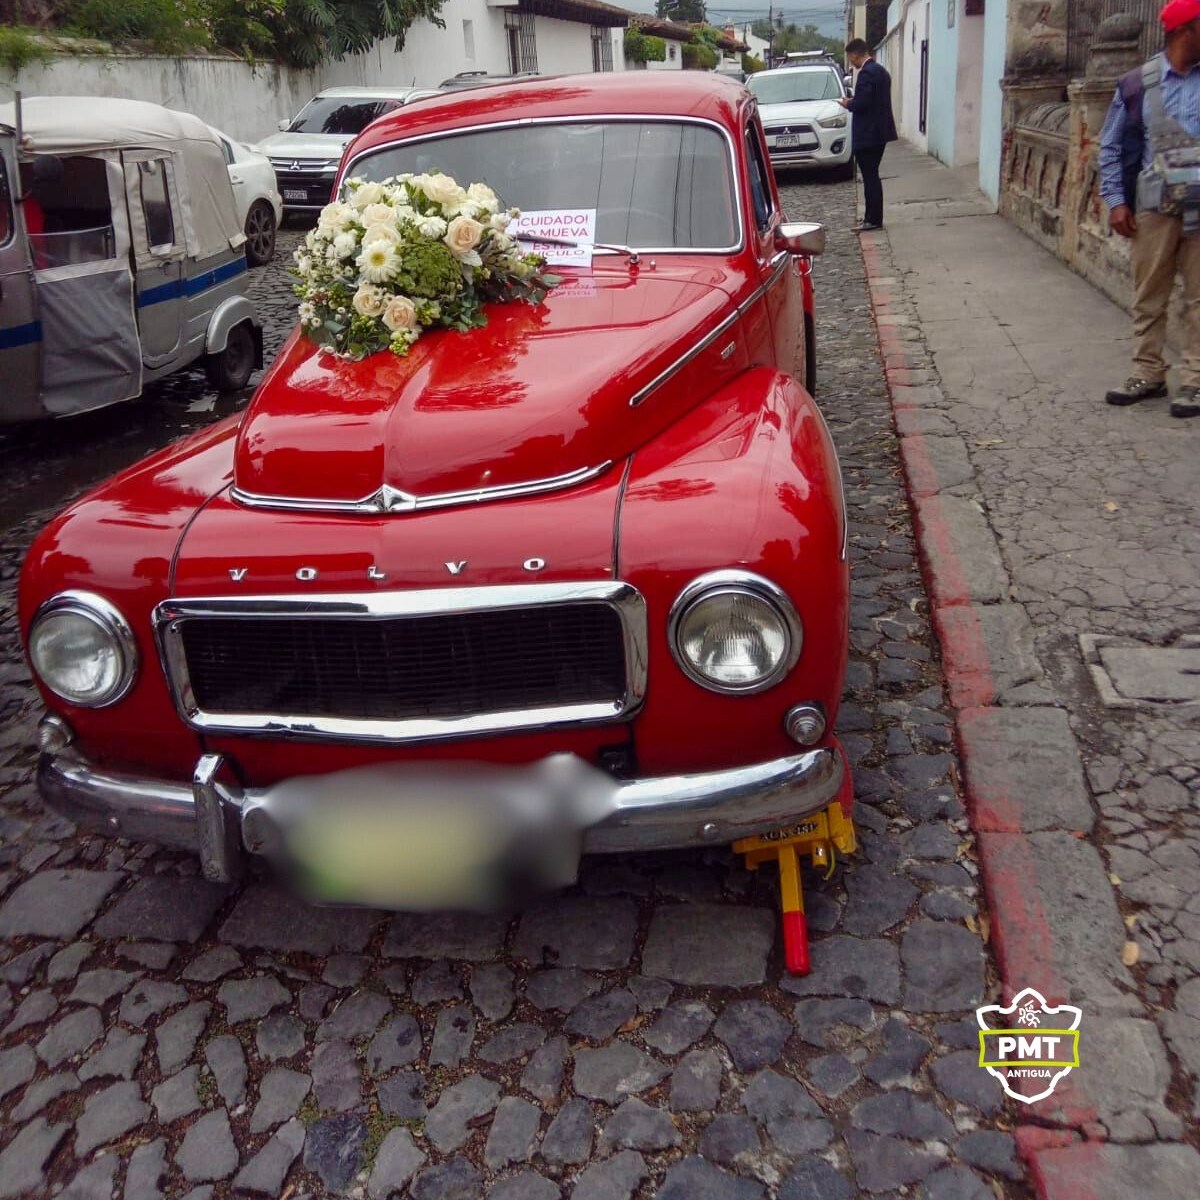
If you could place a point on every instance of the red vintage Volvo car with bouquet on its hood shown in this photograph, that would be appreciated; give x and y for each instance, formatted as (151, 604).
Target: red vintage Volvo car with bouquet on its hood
(572, 583)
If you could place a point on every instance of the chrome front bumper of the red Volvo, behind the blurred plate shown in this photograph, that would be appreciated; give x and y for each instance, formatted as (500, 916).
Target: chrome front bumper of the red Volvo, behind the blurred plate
(223, 821)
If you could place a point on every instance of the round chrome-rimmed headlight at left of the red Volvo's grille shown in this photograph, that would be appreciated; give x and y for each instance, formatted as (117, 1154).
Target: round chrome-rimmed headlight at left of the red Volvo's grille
(83, 650)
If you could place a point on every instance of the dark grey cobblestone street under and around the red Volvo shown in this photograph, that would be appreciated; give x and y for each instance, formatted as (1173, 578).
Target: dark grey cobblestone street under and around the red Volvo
(633, 1039)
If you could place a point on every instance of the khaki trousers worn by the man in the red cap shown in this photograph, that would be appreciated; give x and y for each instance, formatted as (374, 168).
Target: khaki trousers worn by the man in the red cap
(1159, 251)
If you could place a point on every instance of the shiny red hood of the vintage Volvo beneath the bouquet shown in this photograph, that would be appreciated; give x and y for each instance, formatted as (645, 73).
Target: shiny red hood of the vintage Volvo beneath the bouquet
(543, 392)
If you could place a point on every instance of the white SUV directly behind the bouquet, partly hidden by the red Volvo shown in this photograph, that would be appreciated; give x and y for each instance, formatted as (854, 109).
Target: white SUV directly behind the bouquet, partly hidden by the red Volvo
(307, 153)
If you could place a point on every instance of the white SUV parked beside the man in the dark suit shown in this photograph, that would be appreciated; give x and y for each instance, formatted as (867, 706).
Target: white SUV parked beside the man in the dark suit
(806, 127)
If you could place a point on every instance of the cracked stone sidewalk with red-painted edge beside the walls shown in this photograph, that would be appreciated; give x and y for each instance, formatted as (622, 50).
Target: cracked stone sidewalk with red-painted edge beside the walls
(1060, 547)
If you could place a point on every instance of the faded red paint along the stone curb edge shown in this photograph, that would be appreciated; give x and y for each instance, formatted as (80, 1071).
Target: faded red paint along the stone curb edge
(1021, 928)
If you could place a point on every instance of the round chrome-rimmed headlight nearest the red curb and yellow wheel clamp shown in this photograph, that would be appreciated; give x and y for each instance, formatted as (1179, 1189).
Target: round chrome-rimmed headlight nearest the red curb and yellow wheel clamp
(735, 632)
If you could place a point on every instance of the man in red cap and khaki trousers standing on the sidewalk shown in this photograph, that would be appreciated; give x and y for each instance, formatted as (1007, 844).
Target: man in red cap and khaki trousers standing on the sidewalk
(1156, 112)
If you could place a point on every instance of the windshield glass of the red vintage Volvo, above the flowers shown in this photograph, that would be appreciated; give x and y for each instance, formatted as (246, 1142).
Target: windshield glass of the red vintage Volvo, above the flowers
(653, 184)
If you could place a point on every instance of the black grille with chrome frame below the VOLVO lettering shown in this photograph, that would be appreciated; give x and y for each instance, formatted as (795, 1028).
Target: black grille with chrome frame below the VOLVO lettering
(411, 665)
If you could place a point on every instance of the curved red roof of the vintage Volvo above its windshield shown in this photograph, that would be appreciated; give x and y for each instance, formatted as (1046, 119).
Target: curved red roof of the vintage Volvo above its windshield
(697, 94)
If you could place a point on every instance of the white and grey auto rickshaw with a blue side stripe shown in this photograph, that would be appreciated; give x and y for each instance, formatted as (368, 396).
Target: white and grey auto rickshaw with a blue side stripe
(121, 256)
